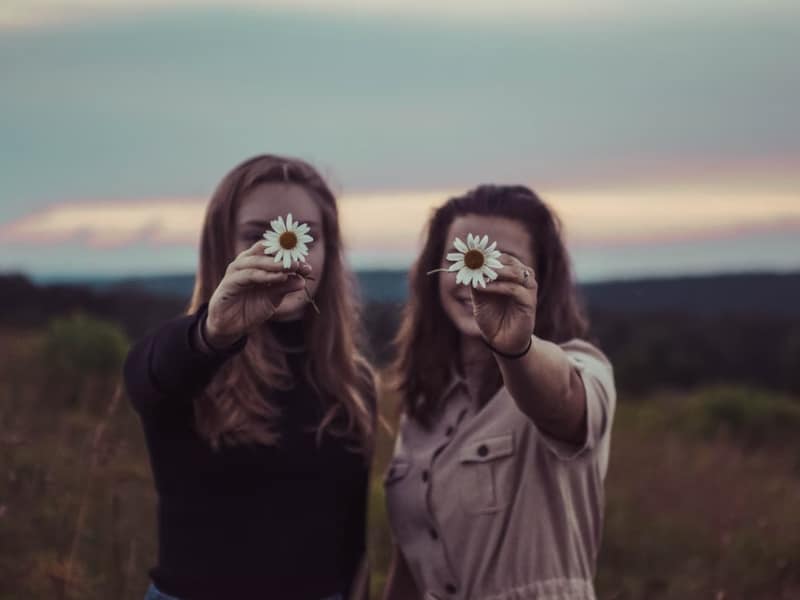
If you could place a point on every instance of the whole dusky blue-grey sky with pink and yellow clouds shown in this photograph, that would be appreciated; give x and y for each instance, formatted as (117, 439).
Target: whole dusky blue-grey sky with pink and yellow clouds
(665, 134)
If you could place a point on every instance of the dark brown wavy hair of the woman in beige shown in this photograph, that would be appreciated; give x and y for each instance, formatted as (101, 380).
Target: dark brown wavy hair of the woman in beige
(425, 361)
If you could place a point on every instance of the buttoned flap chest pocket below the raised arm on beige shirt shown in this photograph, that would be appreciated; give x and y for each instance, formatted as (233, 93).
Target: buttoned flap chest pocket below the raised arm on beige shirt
(486, 474)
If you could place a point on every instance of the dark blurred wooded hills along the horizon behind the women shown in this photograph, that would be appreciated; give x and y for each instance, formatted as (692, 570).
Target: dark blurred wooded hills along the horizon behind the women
(668, 333)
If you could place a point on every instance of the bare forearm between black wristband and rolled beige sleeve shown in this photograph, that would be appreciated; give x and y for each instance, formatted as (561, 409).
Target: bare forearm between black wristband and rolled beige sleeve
(548, 389)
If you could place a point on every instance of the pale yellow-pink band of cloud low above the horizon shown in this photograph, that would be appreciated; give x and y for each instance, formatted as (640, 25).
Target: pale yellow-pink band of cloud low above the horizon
(393, 221)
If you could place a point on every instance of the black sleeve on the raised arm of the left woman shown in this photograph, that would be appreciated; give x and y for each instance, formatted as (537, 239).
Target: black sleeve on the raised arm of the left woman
(164, 367)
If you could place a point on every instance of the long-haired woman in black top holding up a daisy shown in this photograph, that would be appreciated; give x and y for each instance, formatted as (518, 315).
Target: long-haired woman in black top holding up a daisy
(258, 408)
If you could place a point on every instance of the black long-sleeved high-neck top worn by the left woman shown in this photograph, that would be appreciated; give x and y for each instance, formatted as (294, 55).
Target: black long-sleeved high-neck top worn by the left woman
(284, 521)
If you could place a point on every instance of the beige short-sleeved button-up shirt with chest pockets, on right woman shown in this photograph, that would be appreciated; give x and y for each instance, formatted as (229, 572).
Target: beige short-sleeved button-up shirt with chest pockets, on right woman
(484, 506)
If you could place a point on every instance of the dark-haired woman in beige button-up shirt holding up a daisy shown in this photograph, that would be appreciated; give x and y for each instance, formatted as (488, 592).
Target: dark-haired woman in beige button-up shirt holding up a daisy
(495, 490)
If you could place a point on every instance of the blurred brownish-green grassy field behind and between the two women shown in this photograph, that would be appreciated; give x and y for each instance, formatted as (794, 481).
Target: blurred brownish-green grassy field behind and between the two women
(702, 493)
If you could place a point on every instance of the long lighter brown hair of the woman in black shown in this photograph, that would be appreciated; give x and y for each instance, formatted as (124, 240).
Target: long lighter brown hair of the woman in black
(233, 407)
